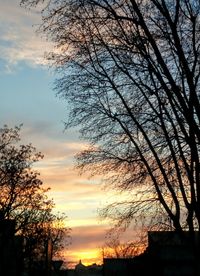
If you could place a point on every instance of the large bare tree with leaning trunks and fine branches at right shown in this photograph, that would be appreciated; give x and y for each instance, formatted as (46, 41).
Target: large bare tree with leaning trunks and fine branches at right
(130, 72)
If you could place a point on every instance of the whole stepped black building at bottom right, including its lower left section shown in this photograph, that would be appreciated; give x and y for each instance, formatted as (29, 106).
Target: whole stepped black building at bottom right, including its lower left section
(167, 254)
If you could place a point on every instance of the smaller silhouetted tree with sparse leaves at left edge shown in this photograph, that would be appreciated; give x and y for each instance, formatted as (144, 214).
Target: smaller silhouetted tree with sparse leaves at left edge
(23, 199)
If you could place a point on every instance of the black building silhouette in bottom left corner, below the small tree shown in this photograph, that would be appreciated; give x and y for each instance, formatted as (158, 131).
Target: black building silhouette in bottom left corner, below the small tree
(13, 260)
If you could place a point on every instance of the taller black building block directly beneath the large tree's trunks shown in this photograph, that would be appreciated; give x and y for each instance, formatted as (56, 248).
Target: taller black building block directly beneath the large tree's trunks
(172, 254)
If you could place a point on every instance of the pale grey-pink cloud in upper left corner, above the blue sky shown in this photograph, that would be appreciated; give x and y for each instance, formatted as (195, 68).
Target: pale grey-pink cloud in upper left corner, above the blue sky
(18, 39)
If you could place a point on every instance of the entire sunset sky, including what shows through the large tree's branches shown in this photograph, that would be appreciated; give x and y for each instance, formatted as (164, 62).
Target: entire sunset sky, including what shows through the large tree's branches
(137, 103)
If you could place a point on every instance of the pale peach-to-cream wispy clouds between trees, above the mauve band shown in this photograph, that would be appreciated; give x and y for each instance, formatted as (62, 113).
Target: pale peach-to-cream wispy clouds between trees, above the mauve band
(75, 194)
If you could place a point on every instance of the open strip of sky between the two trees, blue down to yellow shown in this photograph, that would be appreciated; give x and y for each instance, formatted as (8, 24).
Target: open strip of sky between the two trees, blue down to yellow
(27, 98)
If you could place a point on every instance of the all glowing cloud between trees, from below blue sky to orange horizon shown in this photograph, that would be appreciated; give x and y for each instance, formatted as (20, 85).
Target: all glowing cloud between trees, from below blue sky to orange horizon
(74, 194)
